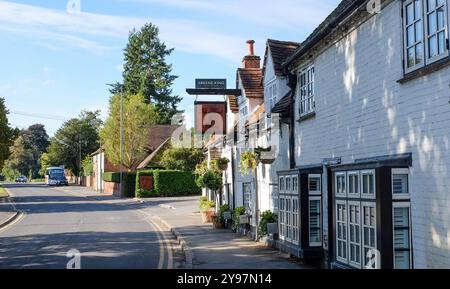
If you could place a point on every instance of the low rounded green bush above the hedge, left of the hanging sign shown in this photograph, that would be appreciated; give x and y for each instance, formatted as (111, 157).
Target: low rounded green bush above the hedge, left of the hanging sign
(183, 159)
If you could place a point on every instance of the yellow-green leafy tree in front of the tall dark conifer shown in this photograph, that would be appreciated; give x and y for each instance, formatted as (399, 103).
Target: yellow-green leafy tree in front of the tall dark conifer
(138, 116)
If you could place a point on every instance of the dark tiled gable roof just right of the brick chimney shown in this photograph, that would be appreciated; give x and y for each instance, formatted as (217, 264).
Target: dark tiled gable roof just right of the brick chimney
(280, 51)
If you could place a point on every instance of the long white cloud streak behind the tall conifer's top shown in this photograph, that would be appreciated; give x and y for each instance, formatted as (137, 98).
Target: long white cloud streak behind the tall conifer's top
(98, 33)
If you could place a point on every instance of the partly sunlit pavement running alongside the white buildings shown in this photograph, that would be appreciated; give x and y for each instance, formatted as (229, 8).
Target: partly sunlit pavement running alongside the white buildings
(215, 248)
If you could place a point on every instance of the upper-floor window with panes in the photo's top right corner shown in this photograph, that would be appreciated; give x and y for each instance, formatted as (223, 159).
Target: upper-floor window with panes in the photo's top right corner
(425, 32)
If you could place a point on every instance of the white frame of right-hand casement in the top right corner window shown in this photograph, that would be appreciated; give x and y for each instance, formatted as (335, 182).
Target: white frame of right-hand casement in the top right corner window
(427, 36)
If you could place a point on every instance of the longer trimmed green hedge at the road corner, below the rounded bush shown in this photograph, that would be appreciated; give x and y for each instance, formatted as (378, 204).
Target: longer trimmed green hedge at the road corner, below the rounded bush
(168, 183)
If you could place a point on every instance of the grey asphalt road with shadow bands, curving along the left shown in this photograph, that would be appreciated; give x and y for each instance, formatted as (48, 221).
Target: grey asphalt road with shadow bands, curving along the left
(108, 233)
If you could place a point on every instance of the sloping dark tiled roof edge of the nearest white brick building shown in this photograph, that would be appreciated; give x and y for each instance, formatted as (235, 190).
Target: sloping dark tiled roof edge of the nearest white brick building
(345, 8)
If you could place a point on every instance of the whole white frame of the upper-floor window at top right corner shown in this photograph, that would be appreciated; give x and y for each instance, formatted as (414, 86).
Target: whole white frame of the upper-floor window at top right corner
(426, 60)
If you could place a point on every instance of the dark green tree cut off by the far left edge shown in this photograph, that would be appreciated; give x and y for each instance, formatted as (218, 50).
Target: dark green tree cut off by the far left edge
(7, 134)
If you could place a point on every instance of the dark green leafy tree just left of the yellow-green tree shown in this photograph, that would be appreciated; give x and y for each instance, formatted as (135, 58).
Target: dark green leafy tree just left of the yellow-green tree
(77, 138)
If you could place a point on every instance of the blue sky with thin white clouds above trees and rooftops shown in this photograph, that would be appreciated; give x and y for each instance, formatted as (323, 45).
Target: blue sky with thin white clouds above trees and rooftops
(56, 62)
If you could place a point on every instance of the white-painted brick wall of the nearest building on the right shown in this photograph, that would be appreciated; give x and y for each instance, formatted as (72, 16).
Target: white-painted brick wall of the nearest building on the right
(362, 111)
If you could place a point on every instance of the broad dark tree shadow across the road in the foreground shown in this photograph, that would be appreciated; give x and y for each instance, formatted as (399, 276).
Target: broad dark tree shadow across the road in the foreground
(131, 250)
